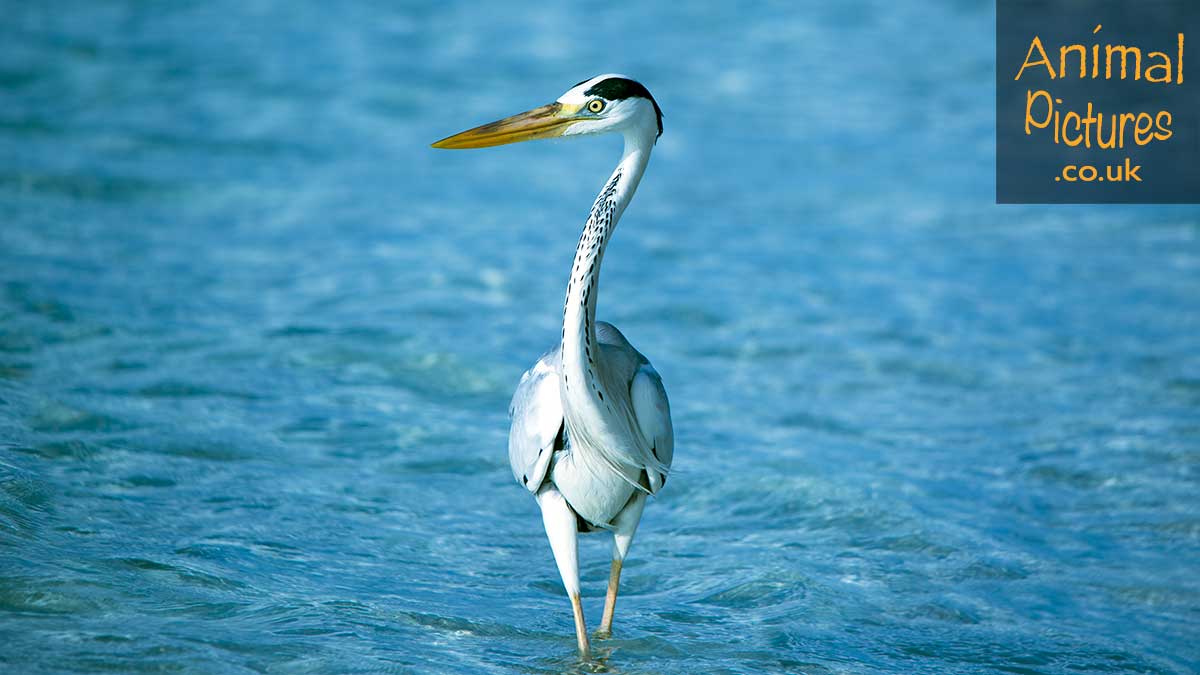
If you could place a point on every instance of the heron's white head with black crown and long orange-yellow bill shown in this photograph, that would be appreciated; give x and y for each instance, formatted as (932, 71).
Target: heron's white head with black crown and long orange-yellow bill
(601, 105)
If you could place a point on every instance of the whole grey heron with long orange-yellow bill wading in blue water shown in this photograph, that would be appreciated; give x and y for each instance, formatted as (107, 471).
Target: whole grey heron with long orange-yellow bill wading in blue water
(591, 433)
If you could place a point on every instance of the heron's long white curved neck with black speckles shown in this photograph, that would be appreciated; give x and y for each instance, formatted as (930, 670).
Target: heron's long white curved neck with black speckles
(581, 381)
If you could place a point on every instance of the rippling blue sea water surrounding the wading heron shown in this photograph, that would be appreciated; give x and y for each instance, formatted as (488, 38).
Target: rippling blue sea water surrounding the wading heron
(257, 343)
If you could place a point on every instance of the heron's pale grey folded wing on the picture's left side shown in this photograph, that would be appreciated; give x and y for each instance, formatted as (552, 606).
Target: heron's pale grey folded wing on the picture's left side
(537, 413)
